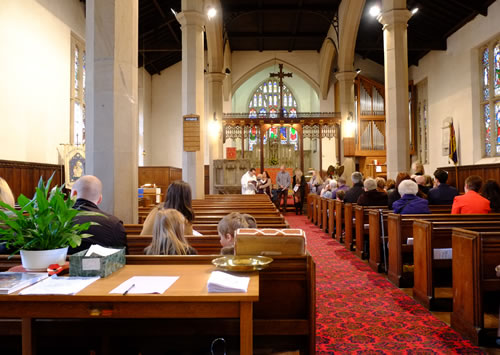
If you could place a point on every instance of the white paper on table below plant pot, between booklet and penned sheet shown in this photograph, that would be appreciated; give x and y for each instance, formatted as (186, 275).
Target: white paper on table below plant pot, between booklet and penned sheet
(55, 285)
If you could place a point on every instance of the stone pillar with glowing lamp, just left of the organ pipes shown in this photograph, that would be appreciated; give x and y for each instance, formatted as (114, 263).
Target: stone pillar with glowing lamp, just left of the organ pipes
(346, 98)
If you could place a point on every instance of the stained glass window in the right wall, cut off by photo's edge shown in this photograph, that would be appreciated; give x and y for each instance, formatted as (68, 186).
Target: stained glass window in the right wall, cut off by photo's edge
(490, 97)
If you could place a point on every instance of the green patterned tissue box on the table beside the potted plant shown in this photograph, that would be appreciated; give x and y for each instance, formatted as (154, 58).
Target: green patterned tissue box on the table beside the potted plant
(81, 265)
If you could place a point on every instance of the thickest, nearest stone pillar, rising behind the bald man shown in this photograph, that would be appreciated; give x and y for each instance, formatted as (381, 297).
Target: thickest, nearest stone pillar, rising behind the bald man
(111, 102)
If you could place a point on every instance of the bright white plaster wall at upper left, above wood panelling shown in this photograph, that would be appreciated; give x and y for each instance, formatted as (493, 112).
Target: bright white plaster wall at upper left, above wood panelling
(35, 77)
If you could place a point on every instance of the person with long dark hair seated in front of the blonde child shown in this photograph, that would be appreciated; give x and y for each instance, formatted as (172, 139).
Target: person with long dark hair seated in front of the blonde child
(178, 197)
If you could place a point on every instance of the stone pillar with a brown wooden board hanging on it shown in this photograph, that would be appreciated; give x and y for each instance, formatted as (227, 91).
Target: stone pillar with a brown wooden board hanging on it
(192, 21)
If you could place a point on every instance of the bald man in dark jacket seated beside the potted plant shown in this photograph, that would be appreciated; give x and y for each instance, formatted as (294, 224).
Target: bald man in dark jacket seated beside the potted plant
(110, 231)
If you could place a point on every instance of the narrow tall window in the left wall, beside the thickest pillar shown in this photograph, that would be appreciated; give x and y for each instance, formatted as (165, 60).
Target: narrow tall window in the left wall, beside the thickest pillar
(77, 99)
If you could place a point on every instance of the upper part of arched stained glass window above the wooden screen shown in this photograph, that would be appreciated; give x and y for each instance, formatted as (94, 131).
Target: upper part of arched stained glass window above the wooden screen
(266, 101)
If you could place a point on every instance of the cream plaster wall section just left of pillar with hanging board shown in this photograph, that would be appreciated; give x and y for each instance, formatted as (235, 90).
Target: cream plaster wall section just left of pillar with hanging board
(166, 118)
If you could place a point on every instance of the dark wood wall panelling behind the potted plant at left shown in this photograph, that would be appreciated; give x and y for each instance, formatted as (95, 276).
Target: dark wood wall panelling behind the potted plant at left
(23, 177)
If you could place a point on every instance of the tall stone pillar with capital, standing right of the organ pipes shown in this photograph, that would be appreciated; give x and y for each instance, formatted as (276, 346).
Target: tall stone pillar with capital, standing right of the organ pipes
(394, 18)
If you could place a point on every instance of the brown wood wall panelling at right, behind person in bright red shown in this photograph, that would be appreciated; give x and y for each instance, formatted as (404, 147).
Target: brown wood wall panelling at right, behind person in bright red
(485, 171)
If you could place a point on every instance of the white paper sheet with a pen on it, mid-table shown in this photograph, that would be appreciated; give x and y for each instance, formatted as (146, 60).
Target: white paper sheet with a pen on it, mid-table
(146, 284)
